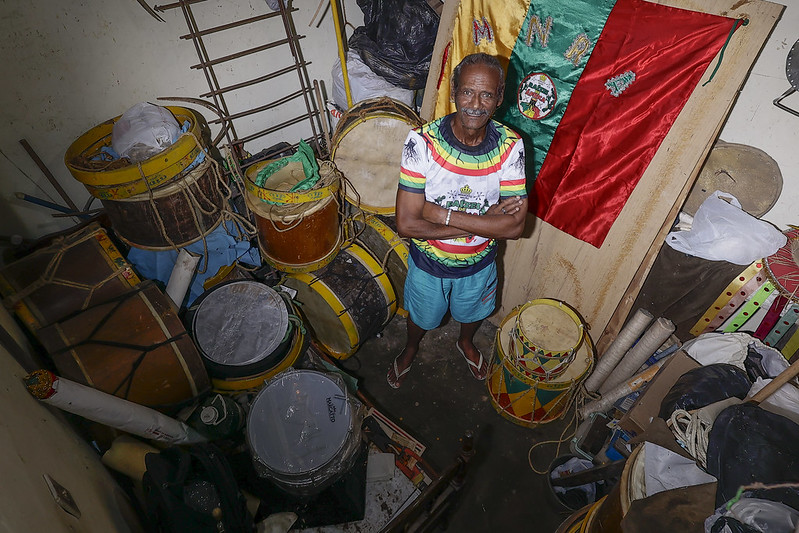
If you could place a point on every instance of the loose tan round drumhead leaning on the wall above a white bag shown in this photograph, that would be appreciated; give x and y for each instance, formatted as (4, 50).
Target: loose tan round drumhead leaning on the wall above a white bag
(746, 172)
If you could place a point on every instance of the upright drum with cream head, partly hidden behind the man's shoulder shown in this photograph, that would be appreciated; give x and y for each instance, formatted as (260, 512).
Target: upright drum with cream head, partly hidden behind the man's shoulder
(367, 149)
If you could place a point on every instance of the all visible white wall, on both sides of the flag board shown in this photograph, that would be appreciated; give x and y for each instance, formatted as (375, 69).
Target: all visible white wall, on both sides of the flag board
(69, 65)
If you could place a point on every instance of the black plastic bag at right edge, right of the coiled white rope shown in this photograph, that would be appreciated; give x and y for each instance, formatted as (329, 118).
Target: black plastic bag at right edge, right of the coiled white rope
(748, 444)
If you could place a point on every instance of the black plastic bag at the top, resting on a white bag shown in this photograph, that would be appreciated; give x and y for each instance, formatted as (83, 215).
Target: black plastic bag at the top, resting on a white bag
(396, 40)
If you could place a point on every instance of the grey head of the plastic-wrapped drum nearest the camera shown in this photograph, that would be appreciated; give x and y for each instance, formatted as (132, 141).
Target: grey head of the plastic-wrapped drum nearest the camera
(299, 422)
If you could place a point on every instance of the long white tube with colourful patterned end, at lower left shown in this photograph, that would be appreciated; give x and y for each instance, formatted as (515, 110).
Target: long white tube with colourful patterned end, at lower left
(108, 409)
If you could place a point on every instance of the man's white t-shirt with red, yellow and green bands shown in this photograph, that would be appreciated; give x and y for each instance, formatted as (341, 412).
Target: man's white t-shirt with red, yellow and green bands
(464, 178)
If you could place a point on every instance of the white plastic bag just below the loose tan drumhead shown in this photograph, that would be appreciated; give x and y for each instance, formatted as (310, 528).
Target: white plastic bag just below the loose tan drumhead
(722, 231)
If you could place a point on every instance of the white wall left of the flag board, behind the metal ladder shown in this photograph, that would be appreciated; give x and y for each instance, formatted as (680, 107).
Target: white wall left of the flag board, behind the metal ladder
(68, 65)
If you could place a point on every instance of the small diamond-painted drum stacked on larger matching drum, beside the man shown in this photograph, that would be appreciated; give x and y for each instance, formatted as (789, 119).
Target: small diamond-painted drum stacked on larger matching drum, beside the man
(541, 355)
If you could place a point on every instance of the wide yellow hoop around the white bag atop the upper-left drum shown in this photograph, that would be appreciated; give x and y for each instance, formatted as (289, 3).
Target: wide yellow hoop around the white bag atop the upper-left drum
(114, 180)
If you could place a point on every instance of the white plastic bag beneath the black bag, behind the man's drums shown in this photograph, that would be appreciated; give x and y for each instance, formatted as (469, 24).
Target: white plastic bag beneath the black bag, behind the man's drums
(364, 84)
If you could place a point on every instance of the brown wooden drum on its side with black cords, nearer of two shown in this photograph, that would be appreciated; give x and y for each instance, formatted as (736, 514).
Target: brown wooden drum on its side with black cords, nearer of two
(134, 347)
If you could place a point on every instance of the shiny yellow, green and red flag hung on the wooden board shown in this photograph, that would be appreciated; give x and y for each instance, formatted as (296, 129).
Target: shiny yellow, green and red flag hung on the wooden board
(593, 87)
